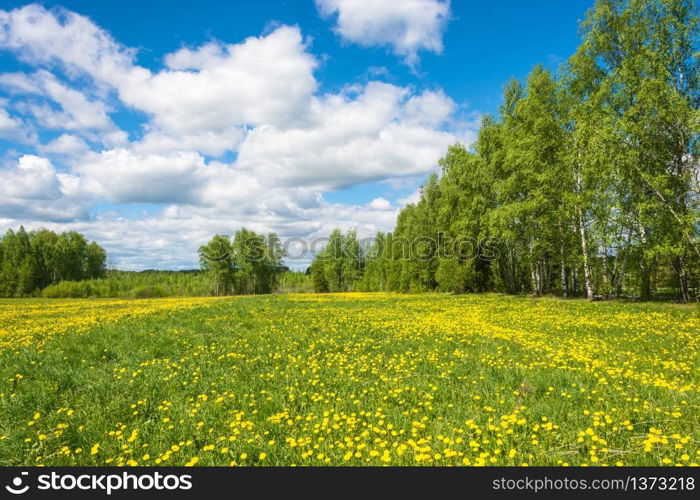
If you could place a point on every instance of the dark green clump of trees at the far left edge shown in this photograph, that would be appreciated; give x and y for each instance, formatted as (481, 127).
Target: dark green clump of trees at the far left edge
(34, 260)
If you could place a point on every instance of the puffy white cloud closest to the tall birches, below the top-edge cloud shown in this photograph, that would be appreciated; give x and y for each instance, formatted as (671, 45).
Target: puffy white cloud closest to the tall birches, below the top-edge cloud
(353, 137)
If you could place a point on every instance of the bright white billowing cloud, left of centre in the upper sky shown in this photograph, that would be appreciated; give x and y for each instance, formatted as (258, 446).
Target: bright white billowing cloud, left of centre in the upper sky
(263, 80)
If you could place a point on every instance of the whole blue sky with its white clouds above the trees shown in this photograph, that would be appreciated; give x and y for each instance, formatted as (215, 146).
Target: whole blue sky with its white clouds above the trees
(150, 126)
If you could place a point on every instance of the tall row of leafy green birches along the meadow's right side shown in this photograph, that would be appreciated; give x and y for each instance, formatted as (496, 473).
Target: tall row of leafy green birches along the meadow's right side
(585, 184)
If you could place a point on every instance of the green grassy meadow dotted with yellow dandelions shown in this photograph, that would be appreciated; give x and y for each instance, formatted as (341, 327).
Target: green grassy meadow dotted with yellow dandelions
(353, 379)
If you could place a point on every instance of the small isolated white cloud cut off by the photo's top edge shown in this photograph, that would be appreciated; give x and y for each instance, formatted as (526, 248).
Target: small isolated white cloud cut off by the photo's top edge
(407, 26)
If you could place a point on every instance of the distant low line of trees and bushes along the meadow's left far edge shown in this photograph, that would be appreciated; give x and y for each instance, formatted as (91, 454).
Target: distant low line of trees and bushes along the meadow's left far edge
(67, 265)
